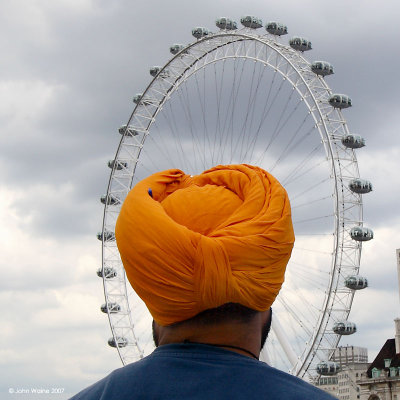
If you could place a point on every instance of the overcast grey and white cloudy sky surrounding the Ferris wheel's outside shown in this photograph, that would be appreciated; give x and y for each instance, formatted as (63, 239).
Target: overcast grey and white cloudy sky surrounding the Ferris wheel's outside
(69, 69)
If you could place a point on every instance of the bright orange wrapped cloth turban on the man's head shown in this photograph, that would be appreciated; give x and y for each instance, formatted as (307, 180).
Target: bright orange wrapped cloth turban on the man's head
(190, 243)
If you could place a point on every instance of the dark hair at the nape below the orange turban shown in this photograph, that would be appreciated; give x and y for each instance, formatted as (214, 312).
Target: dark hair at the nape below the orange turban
(228, 312)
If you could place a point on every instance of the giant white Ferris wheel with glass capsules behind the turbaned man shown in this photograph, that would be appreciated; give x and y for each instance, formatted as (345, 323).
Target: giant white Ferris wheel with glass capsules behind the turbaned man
(244, 96)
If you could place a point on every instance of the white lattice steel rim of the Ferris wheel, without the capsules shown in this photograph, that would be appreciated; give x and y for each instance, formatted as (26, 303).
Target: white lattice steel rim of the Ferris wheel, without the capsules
(331, 127)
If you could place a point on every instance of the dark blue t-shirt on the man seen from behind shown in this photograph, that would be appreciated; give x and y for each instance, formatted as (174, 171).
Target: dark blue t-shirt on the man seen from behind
(201, 372)
